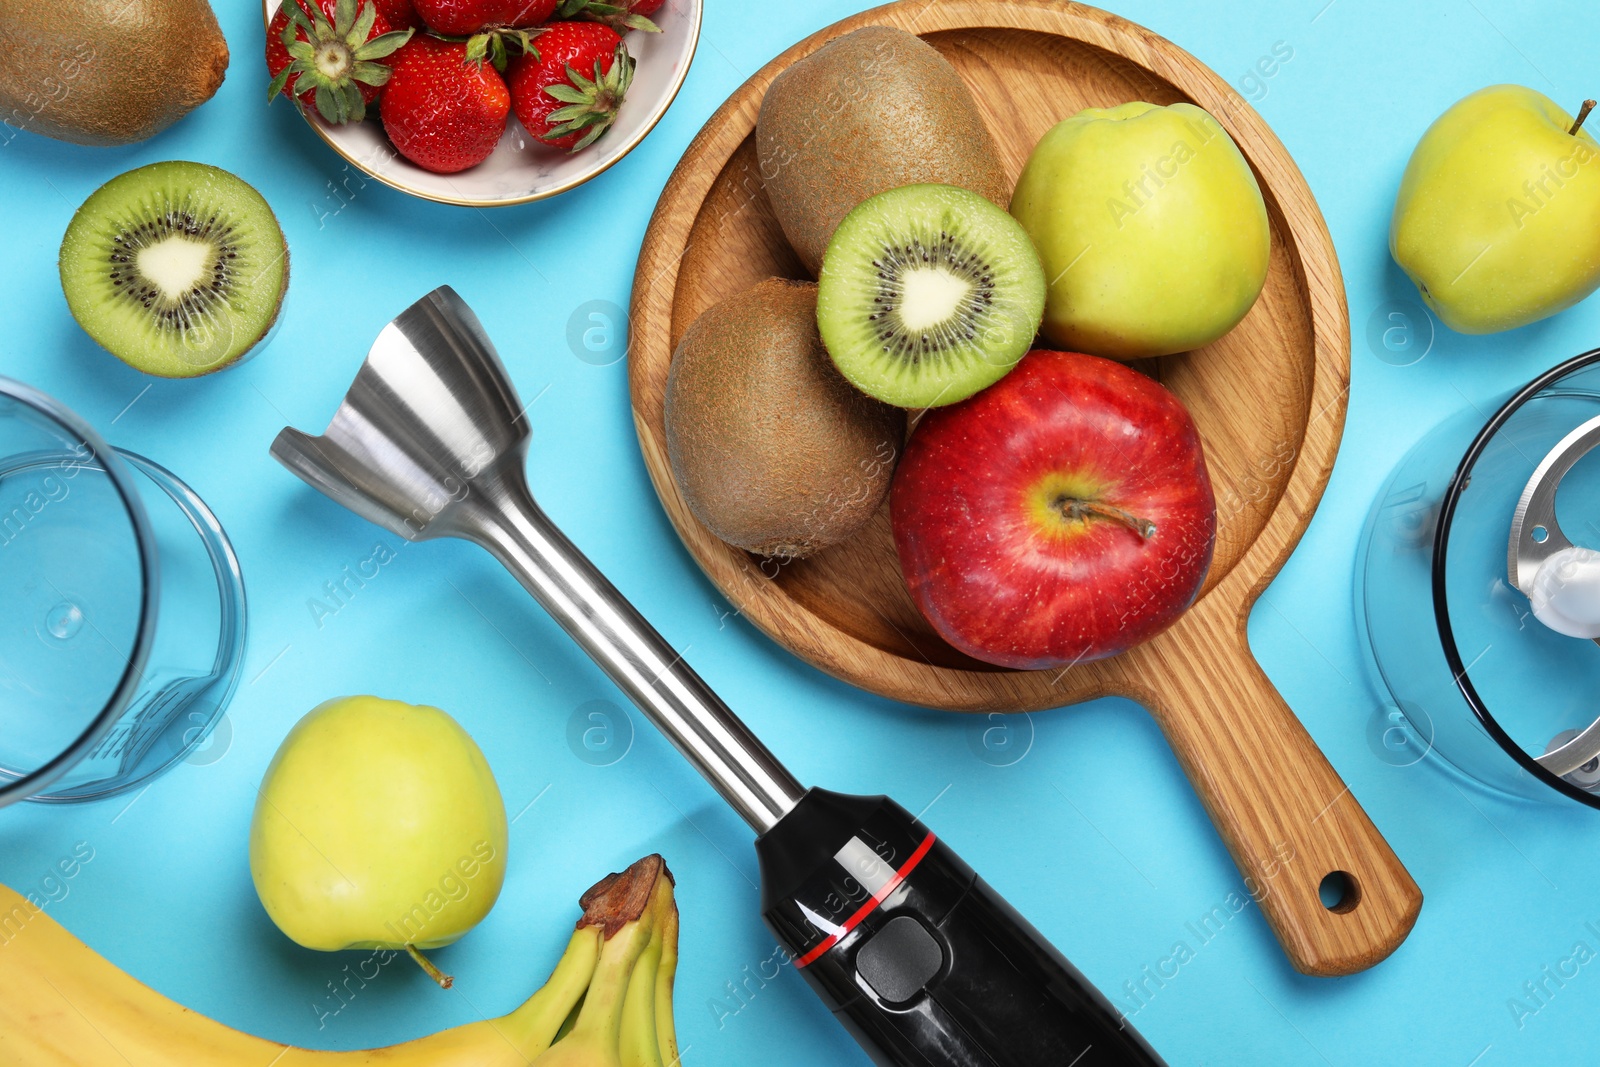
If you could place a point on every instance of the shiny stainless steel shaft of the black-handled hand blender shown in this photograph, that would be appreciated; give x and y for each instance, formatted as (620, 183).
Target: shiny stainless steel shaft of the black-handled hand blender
(431, 442)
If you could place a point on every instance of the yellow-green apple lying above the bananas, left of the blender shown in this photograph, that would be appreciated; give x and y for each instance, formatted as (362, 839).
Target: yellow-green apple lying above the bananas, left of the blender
(378, 826)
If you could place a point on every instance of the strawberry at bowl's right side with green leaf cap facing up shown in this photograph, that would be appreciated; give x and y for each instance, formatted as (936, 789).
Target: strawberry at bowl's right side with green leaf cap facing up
(569, 90)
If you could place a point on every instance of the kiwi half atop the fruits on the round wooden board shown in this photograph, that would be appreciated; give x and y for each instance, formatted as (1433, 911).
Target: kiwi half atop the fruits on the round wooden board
(927, 295)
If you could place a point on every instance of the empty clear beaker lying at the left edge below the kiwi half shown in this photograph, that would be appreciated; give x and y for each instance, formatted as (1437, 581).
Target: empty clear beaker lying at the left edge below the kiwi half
(122, 610)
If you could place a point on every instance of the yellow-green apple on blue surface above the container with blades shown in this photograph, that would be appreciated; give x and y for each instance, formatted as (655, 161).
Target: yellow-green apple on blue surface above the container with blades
(1498, 217)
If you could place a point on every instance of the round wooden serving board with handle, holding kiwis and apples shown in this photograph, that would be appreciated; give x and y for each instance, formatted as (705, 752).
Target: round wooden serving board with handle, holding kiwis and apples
(1270, 401)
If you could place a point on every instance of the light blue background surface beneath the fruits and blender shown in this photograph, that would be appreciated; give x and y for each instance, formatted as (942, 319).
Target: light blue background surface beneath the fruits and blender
(1095, 834)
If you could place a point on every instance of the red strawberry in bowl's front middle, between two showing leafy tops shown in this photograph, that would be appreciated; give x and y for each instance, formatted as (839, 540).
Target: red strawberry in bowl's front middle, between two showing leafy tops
(442, 111)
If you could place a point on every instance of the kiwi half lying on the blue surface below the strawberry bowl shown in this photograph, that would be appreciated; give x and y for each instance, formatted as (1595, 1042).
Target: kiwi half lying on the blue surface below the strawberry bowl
(178, 270)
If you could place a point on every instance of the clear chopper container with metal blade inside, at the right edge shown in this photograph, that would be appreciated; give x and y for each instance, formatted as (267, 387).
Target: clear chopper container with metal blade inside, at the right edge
(1478, 593)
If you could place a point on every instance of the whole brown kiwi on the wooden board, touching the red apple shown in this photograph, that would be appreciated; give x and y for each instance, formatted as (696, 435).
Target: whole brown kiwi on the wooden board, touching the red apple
(772, 449)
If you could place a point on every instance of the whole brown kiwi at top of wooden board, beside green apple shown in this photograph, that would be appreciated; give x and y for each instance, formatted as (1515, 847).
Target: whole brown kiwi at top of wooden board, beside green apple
(871, 111)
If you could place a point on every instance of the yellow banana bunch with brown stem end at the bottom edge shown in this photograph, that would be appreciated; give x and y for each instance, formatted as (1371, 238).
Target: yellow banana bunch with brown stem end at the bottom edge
(609, 1004)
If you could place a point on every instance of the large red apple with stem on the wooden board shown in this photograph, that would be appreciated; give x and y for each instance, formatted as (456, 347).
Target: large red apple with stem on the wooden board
(1062, 516)
